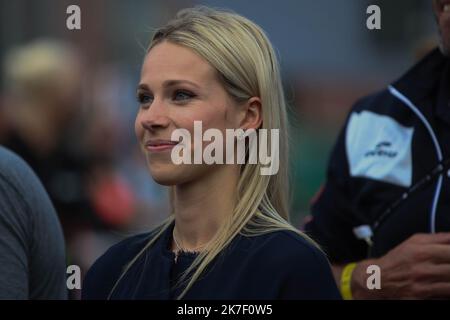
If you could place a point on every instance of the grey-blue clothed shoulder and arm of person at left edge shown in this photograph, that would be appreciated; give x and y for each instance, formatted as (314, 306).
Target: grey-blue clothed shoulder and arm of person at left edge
(32, 256)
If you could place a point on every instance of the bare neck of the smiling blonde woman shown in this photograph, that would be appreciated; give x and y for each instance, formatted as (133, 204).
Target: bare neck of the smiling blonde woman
(202, 206)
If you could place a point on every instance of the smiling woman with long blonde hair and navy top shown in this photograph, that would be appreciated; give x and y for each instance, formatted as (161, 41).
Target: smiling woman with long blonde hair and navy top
(228, 236)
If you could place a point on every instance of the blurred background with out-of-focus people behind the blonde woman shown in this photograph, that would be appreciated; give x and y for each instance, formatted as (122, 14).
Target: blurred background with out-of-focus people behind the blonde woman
(67, 97)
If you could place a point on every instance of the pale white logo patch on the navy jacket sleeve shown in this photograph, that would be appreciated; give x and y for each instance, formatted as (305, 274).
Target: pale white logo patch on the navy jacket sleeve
(379, 148)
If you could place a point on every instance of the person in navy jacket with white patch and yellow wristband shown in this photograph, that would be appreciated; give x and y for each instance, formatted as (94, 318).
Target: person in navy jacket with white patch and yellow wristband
(386, 201)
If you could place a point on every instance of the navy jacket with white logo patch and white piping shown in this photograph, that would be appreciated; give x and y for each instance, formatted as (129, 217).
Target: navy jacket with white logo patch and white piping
(389, 170)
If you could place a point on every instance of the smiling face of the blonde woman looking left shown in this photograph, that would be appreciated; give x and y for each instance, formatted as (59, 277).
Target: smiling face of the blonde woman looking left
(178, 87)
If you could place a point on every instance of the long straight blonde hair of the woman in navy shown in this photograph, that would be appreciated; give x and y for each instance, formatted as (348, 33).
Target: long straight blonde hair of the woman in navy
(247, 66)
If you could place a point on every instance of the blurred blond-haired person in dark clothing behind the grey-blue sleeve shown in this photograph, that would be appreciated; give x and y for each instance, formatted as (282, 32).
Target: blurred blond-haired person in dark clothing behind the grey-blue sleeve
(43, 110)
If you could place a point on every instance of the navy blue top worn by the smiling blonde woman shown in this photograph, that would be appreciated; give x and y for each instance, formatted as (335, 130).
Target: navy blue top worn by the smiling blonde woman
(277, 265)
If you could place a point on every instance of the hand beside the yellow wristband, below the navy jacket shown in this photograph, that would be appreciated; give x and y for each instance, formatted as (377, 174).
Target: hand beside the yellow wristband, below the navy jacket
(418, 268)
